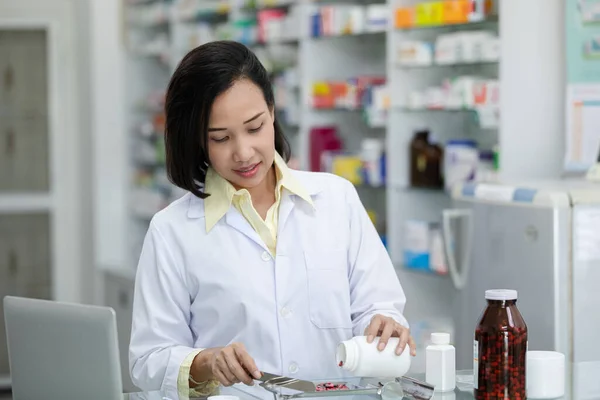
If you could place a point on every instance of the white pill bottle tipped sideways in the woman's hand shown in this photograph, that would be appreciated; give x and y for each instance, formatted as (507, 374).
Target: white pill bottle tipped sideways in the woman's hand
(363, 359)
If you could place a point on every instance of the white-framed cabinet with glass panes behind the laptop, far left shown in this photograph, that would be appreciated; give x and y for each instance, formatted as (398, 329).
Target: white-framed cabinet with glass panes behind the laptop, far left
(44, 152)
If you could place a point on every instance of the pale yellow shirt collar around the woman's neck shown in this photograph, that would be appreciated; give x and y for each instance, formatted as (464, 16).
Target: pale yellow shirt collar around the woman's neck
(222, 192)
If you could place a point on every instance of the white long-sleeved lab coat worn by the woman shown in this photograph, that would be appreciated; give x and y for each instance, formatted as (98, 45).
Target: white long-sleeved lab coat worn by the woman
(330, 276)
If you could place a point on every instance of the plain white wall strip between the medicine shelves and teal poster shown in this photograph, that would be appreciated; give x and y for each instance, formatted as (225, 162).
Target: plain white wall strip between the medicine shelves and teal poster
(532, 89)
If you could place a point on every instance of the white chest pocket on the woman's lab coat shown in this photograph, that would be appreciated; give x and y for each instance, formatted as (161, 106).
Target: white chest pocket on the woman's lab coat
(328, 289)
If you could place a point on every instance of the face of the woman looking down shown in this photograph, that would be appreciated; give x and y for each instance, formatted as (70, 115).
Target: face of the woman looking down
(241, 136)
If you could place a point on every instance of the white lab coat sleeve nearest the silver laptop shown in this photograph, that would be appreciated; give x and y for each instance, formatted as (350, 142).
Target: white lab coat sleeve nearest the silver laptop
(160, 335)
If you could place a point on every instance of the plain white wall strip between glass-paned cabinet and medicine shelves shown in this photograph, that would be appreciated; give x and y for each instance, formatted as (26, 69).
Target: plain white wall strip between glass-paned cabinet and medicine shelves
(109, 132)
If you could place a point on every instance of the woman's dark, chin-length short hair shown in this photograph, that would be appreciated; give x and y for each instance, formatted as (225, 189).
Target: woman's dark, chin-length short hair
(202, 75)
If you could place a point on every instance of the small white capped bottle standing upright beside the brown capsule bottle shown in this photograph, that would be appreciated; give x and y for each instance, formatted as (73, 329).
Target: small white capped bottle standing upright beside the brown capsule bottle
(440, 363)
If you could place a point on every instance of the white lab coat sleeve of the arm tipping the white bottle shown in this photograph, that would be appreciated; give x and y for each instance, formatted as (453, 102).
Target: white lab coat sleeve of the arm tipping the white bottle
(374, 285)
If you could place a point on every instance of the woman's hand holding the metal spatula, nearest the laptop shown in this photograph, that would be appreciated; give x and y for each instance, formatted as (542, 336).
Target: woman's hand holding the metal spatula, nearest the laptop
(232, 364)
